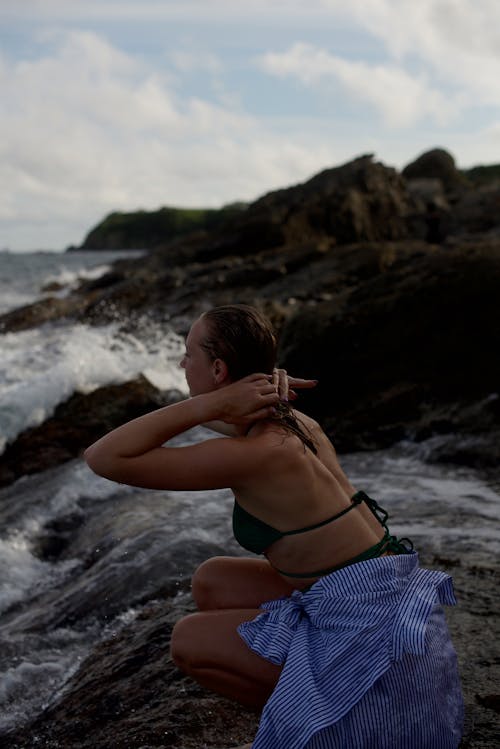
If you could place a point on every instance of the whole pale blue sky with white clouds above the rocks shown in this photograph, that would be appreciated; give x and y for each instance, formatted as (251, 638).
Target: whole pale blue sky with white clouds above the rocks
(124, 105)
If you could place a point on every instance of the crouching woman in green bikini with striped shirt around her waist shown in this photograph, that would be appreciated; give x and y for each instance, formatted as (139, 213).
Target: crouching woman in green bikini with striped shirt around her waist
(336, 632)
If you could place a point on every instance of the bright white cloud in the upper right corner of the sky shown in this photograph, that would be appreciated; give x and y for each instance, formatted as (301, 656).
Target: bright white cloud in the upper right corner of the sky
(443, 58)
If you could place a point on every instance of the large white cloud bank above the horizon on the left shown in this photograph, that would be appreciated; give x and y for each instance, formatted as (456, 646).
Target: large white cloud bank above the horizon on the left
(87, 129)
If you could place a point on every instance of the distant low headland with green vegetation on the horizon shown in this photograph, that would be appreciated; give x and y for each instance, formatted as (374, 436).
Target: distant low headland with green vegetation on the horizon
(147, 229)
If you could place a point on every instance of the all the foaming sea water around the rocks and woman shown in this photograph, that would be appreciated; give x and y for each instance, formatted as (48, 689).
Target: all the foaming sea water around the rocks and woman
(125, 544)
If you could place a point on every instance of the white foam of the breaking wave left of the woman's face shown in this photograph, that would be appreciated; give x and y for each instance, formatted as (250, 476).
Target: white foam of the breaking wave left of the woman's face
(42, 367)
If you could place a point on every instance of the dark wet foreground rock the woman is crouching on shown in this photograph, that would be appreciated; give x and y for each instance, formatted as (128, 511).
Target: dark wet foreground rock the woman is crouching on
(128, 694)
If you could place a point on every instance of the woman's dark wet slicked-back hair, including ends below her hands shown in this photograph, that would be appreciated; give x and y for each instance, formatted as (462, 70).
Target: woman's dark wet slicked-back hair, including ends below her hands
(246, 341)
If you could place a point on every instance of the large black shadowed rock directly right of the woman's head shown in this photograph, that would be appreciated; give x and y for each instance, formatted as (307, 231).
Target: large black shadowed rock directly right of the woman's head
(408, 353)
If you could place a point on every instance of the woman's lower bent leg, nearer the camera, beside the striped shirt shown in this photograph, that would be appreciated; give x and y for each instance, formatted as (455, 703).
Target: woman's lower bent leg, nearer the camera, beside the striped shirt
(207, 647)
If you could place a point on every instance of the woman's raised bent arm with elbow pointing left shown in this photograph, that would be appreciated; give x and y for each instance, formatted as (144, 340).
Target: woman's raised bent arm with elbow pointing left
(134, 453)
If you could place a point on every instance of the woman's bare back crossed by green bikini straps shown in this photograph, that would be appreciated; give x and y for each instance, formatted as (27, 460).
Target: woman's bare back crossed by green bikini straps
(295, 489)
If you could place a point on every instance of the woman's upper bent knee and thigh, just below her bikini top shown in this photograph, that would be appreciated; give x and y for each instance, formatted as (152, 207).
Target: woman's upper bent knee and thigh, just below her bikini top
(236, 583)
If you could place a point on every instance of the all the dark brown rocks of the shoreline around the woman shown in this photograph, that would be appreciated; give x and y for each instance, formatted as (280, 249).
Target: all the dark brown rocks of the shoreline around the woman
(384, 287)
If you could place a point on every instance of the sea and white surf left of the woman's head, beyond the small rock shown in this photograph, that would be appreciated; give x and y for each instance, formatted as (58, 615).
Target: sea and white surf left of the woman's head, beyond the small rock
(41, 367)
